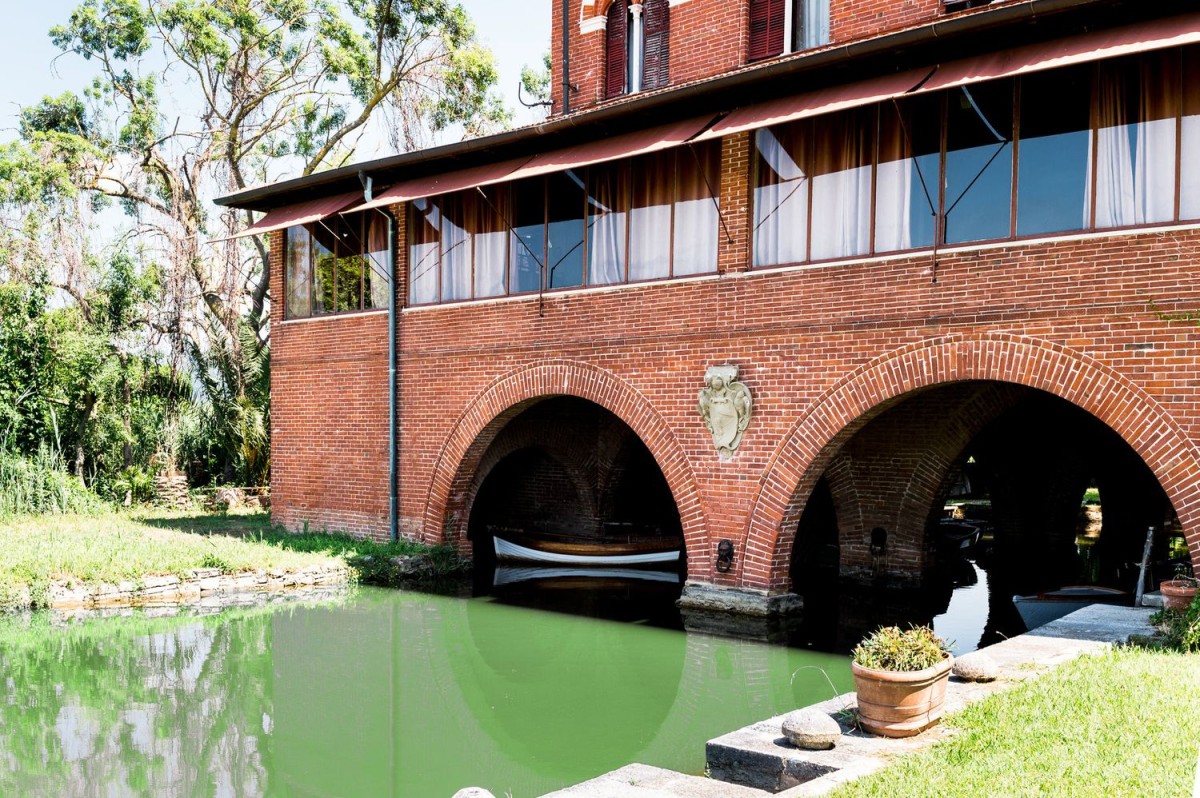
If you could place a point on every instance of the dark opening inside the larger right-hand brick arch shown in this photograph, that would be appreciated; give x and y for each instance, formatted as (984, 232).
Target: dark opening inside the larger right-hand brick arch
(979, 484)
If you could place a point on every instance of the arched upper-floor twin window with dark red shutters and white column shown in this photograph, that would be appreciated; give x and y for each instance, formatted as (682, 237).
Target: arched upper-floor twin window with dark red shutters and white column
(638, 46)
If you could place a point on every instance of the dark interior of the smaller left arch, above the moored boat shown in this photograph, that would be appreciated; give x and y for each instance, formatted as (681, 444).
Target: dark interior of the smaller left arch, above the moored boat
(569, 467)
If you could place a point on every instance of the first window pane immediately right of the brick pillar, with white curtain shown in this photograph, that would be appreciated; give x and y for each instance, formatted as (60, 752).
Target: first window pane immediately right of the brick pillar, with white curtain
(781, 195)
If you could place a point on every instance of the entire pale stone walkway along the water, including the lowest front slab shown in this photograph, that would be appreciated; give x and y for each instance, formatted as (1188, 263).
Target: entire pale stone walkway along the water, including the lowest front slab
(761, 763)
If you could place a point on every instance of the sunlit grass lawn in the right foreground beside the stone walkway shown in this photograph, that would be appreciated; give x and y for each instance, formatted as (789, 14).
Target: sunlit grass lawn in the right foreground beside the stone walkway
(1121, 724)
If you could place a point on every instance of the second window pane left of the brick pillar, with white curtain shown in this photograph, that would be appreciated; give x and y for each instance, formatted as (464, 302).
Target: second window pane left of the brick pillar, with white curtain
(650, 218)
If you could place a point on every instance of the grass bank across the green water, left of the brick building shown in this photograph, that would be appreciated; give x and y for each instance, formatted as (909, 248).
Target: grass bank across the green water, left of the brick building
(127, 547)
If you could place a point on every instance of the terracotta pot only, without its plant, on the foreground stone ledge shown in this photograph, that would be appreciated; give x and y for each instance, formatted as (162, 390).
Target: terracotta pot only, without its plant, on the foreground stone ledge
(901, 704)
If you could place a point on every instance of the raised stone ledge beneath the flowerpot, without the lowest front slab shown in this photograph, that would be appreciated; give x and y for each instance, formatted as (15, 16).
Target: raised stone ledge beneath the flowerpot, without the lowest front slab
(760, 757)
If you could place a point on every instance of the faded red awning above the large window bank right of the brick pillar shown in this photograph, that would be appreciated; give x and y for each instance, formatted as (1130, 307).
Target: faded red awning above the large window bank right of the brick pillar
(1142, 38)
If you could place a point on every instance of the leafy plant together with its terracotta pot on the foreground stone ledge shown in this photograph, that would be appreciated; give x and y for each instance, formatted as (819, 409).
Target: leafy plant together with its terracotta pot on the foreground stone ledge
(901, 679)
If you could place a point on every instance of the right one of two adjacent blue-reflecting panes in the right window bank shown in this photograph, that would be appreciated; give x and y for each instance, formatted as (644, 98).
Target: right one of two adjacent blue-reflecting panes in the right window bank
(1054, 159)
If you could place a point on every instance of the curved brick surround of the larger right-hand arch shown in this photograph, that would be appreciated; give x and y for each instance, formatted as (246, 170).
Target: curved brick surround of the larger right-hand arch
(796, 465)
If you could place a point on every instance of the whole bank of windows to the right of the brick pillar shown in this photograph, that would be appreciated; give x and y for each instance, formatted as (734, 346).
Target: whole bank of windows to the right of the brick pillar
(1097, 147)
